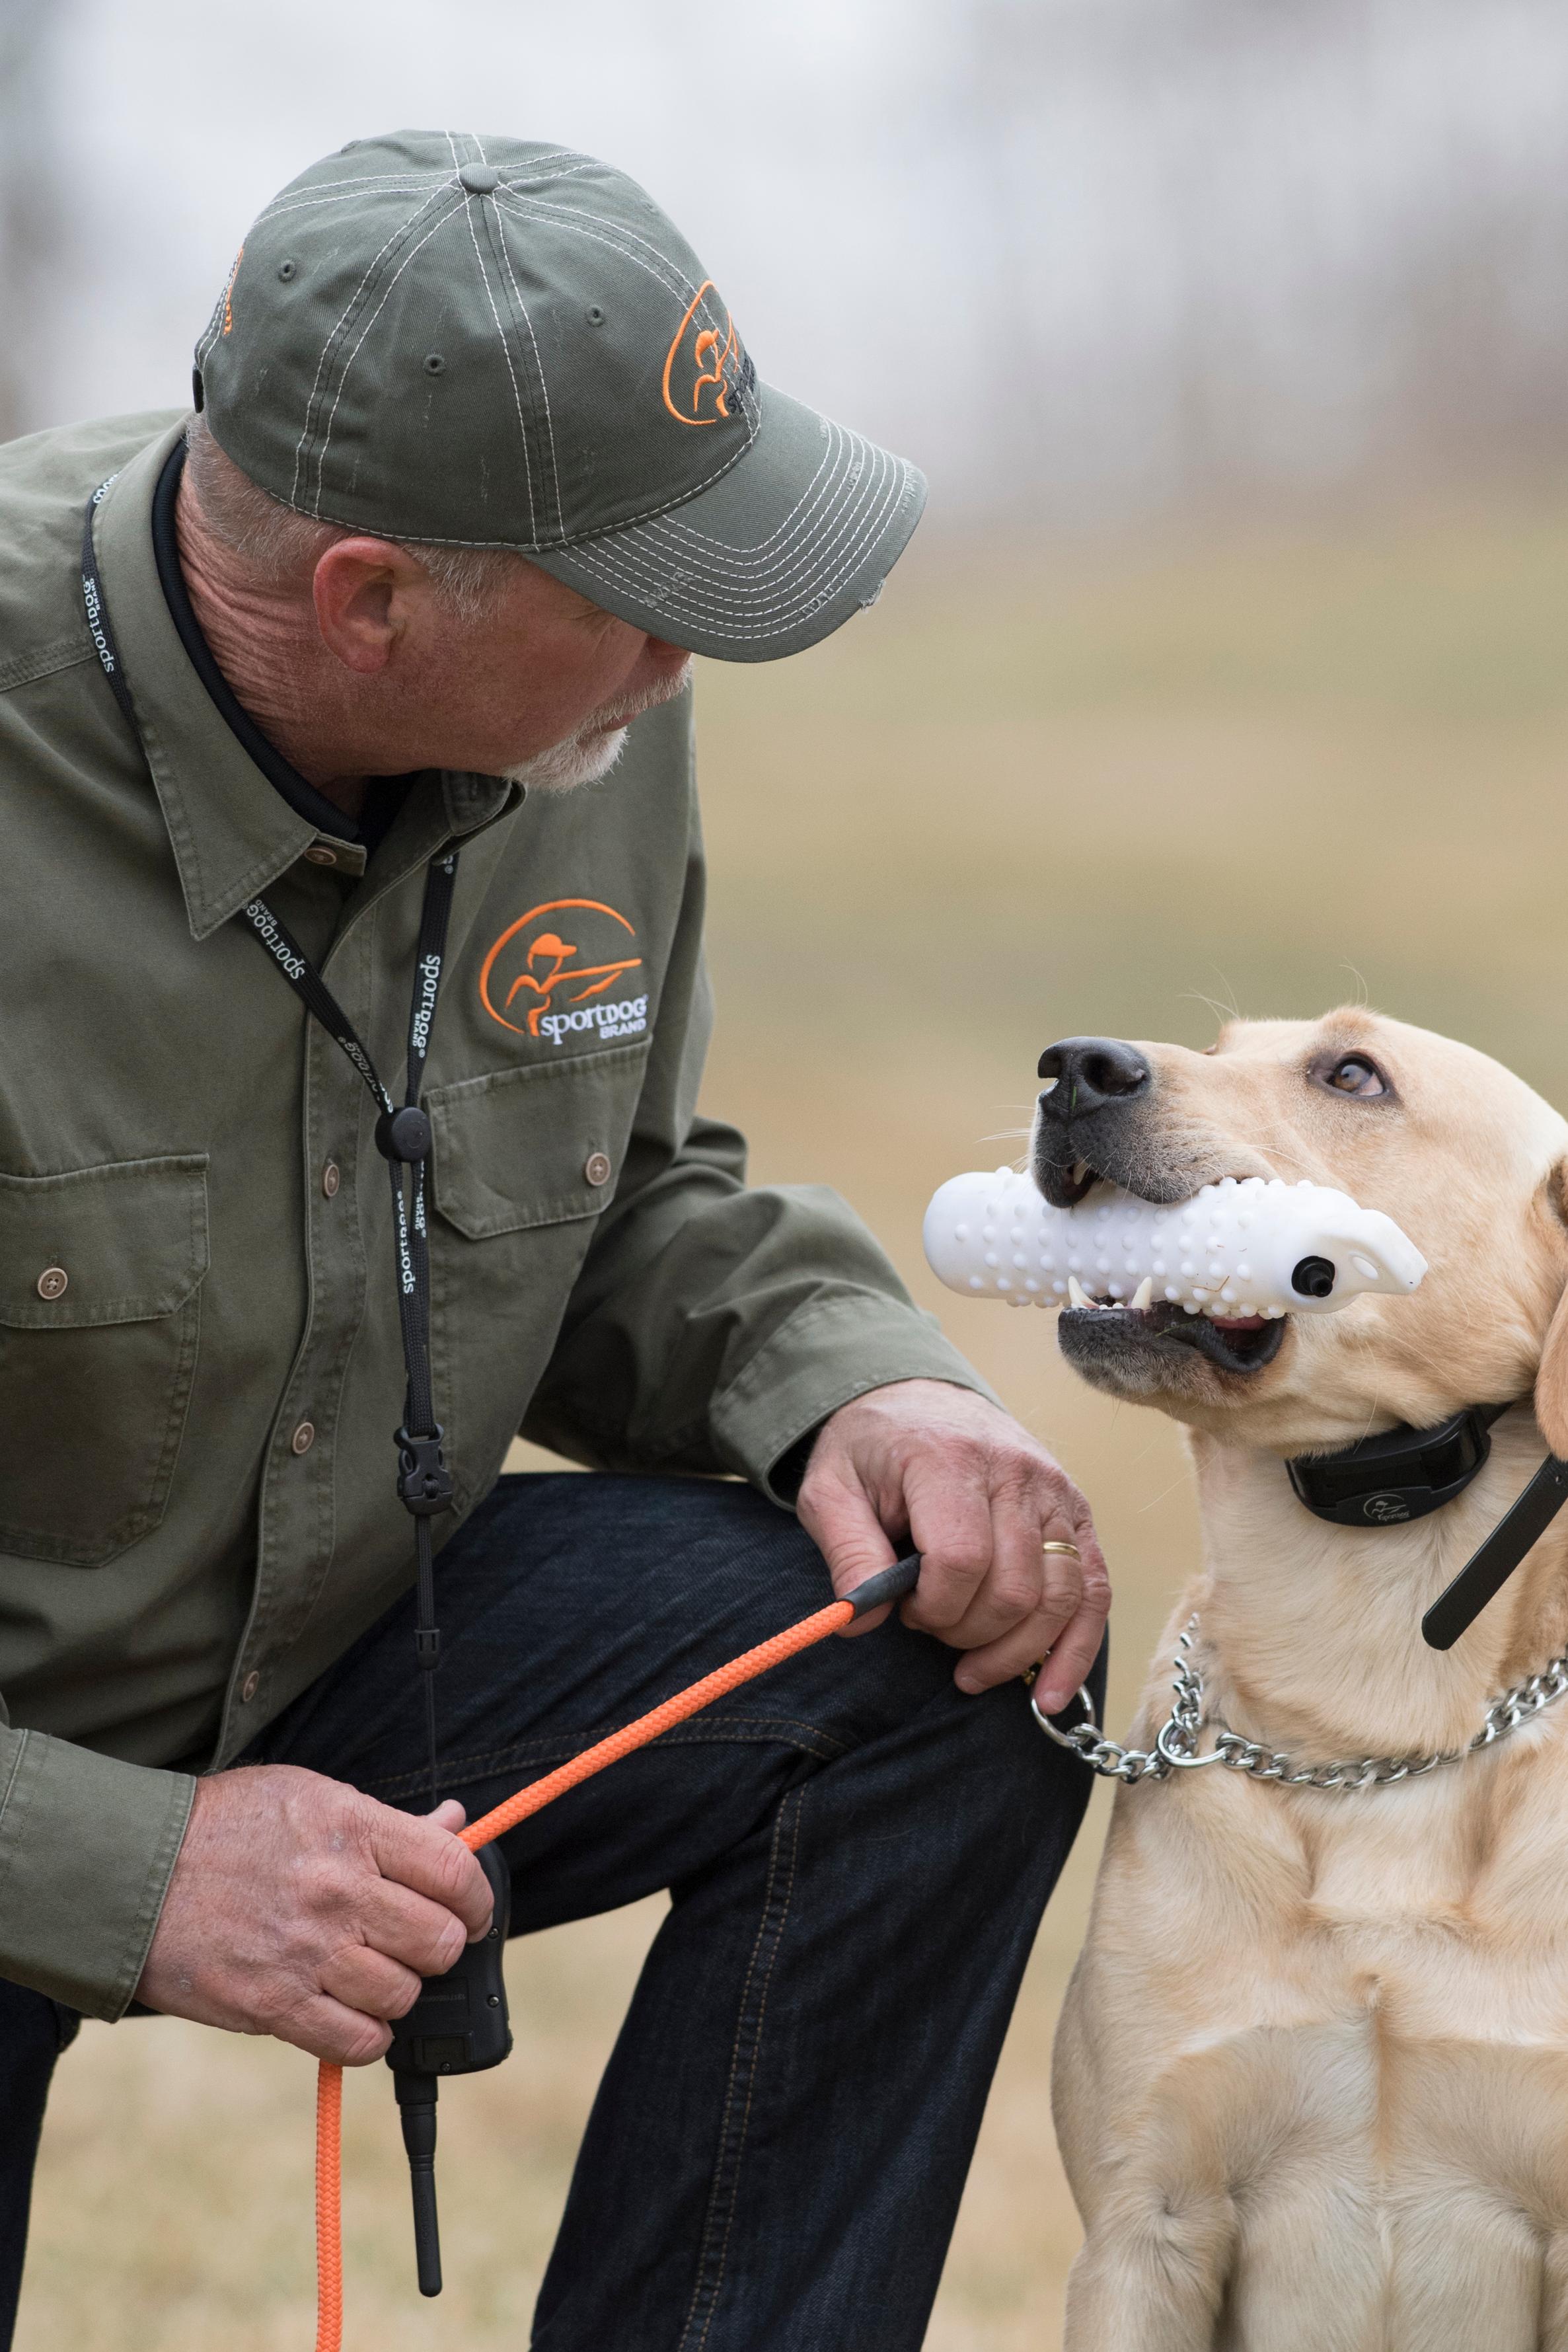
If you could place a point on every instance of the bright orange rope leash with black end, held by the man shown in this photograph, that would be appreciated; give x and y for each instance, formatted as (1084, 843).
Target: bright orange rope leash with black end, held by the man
(532, 1800)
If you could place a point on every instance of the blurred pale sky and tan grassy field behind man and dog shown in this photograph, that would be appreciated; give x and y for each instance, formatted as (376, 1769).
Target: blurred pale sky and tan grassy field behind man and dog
(1226, 674)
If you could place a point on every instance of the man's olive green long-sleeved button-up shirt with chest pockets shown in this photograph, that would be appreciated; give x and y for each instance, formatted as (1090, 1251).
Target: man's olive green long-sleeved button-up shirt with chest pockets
(199, 1321)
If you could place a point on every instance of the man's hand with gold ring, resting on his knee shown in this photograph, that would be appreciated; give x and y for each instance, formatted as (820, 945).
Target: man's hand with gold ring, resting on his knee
(977, 1499)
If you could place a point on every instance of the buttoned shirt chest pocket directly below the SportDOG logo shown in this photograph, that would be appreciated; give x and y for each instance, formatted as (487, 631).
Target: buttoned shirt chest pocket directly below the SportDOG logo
(525, 1163)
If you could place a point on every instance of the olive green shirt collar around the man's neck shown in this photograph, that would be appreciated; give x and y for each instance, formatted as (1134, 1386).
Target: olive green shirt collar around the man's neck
(232, 824)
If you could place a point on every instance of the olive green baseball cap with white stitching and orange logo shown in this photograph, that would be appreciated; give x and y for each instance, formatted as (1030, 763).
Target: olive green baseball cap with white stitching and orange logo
(507, 345)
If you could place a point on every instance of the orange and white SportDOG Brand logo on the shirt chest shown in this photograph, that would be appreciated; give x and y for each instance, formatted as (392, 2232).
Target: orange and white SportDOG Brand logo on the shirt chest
(535, 968)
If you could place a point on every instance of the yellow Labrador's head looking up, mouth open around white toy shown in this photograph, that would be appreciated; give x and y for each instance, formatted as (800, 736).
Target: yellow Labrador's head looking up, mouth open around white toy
(1449, 1144)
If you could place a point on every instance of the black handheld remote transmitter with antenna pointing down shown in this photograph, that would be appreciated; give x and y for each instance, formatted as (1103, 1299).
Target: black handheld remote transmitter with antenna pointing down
(457, 2026)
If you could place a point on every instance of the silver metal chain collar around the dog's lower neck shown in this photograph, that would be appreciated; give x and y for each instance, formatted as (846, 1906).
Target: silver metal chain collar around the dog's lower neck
(1177, 1744)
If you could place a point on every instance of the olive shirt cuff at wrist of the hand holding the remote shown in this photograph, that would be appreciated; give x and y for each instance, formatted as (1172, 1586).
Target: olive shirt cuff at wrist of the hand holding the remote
(88, 1847)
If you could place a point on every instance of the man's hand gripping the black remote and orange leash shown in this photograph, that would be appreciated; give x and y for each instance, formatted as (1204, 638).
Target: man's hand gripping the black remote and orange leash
(307, 1911)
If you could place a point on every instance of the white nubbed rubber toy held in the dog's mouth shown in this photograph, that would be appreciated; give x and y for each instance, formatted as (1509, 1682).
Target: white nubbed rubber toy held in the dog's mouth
(1240, 1248)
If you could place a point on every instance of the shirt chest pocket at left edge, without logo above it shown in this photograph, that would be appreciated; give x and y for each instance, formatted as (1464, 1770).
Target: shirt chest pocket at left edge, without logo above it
(100, 1318)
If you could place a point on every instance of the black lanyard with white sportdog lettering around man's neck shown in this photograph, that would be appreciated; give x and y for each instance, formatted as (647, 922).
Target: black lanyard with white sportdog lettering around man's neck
(403, 1140)
